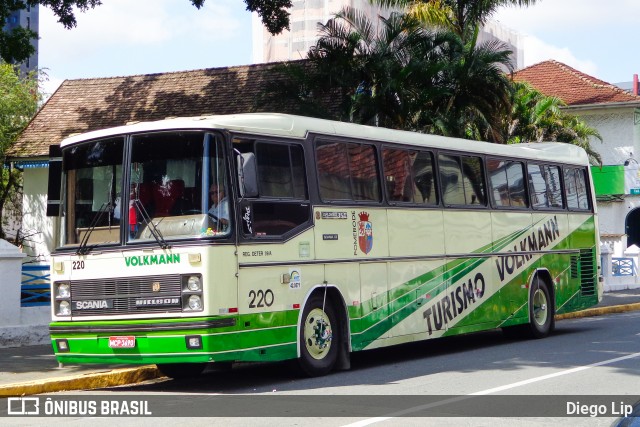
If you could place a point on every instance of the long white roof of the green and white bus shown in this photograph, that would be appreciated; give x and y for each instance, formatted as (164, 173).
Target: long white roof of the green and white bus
(286, 125)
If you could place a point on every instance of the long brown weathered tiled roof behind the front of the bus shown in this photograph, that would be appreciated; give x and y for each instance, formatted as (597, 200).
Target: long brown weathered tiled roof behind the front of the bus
(90, 104)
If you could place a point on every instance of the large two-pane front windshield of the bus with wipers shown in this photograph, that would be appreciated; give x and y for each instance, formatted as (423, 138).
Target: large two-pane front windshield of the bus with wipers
(177, 189)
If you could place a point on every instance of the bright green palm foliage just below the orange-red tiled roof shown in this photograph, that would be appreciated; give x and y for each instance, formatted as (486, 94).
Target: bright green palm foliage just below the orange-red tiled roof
(536, 117)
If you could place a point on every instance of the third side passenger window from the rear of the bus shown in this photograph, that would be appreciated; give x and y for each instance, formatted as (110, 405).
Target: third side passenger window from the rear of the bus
(507, 183)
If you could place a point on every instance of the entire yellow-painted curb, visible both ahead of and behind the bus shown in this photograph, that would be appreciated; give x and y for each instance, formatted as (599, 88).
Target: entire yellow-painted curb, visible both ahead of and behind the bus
(117, 377)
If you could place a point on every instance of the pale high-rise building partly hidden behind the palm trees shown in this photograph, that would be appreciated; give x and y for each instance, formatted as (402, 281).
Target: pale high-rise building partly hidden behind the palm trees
(306, 14)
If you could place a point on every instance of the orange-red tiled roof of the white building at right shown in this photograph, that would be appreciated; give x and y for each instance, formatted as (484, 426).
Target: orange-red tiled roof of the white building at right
(554, 78)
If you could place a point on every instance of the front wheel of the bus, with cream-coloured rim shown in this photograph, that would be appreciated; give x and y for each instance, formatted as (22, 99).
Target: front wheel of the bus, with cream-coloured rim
(319, 337)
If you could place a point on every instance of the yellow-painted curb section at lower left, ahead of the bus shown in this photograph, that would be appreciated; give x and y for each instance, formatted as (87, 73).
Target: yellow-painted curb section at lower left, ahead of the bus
(89, 381)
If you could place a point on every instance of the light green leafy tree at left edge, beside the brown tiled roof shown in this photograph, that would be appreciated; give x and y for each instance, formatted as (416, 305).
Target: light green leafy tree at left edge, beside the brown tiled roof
(19, 99)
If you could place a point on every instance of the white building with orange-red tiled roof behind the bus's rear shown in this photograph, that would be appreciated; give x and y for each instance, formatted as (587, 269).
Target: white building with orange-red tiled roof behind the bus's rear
(615, 113)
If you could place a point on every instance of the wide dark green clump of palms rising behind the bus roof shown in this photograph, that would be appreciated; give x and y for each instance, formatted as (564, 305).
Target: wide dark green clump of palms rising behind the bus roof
(403, 76)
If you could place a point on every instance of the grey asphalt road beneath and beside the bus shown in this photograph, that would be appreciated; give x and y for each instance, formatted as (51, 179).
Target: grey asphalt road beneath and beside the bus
(591, 360)
